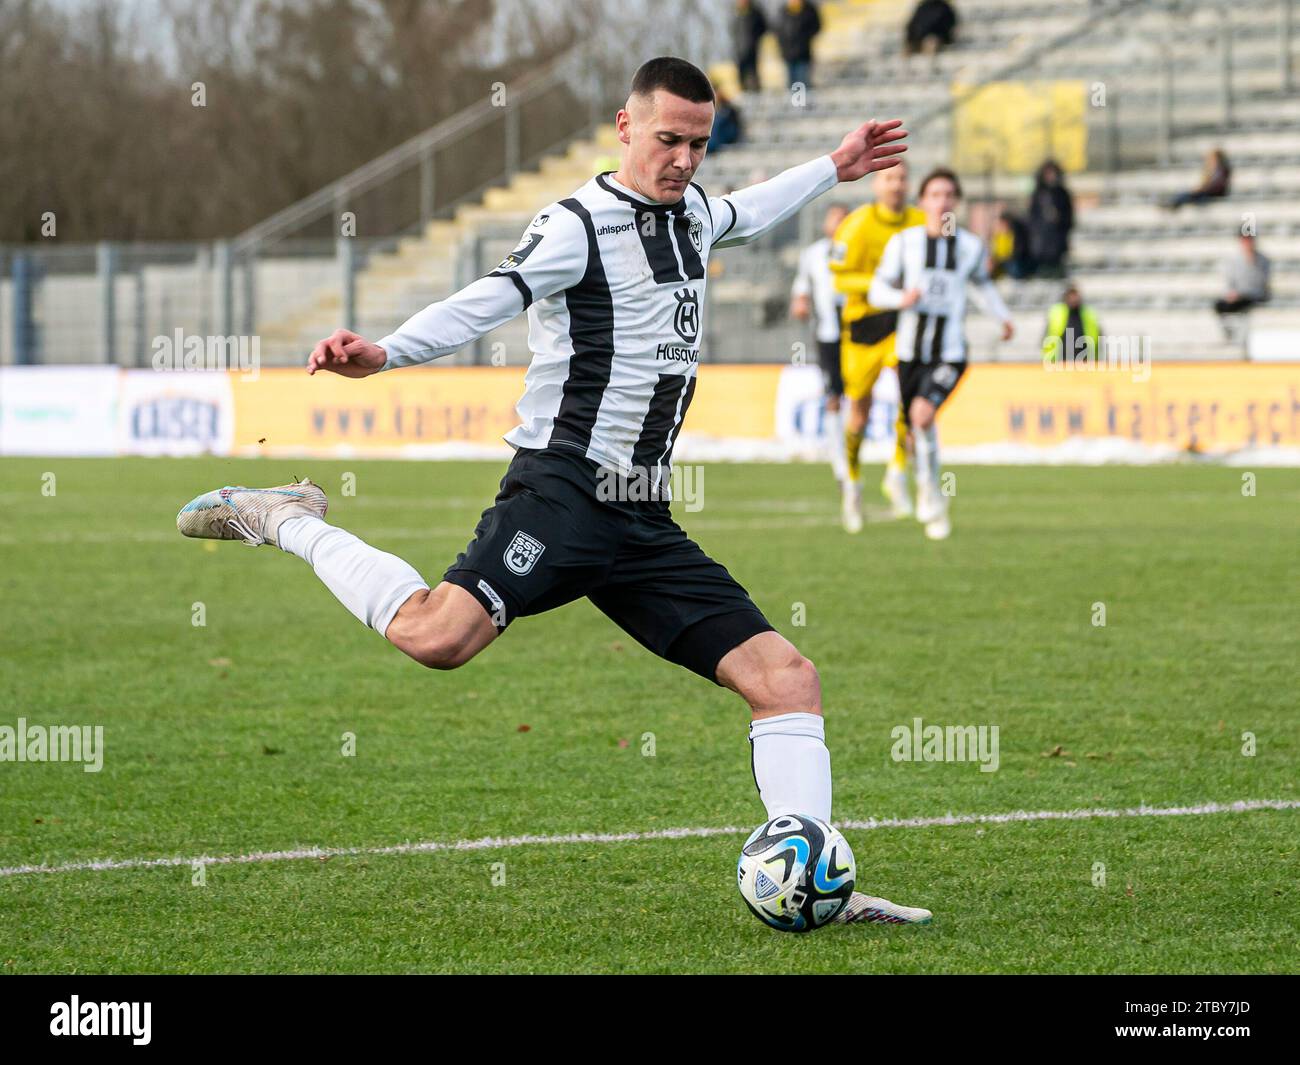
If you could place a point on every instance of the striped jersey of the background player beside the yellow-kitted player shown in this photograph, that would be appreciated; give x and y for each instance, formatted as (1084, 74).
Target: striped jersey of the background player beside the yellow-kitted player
(933, 330)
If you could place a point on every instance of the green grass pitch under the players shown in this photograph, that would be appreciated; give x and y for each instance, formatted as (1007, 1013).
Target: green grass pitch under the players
(226, 738)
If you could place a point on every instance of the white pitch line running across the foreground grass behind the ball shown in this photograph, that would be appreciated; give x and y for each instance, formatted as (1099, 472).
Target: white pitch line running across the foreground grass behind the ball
(496, 843)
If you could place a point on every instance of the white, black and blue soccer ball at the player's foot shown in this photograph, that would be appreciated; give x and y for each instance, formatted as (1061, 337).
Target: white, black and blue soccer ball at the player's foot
(796, 873)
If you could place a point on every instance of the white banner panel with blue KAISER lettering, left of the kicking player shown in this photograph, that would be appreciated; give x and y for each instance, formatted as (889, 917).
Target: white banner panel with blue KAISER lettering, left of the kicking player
(176, 414)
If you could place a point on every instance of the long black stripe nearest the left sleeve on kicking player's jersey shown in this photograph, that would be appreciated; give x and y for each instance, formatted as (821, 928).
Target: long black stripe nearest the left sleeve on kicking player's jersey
(591, 308)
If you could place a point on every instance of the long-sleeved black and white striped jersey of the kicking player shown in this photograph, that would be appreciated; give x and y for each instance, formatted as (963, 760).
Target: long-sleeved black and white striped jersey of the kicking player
(614, 287)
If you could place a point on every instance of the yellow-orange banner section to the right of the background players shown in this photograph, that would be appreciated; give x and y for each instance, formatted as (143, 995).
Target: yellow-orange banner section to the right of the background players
(1219, 406)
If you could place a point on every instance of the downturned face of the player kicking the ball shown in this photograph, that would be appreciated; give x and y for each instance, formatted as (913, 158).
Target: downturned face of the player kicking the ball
(666, 140)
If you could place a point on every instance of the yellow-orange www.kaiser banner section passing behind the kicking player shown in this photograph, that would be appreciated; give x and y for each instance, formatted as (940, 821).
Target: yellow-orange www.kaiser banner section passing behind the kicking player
(284, 412)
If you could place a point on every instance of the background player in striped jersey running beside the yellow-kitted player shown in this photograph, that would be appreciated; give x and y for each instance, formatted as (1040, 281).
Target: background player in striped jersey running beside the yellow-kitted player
(925, 272)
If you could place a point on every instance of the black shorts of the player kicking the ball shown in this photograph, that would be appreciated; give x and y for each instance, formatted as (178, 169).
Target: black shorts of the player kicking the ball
(549, 539)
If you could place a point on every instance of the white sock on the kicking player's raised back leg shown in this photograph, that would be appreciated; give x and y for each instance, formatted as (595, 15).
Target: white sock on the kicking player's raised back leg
(369, 582)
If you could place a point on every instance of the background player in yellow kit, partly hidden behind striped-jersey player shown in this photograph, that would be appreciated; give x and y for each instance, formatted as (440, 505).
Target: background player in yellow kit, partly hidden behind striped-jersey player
(868, 340)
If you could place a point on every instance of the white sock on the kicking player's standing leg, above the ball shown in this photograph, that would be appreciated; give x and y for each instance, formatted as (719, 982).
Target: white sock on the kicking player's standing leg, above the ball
(792, 767)
